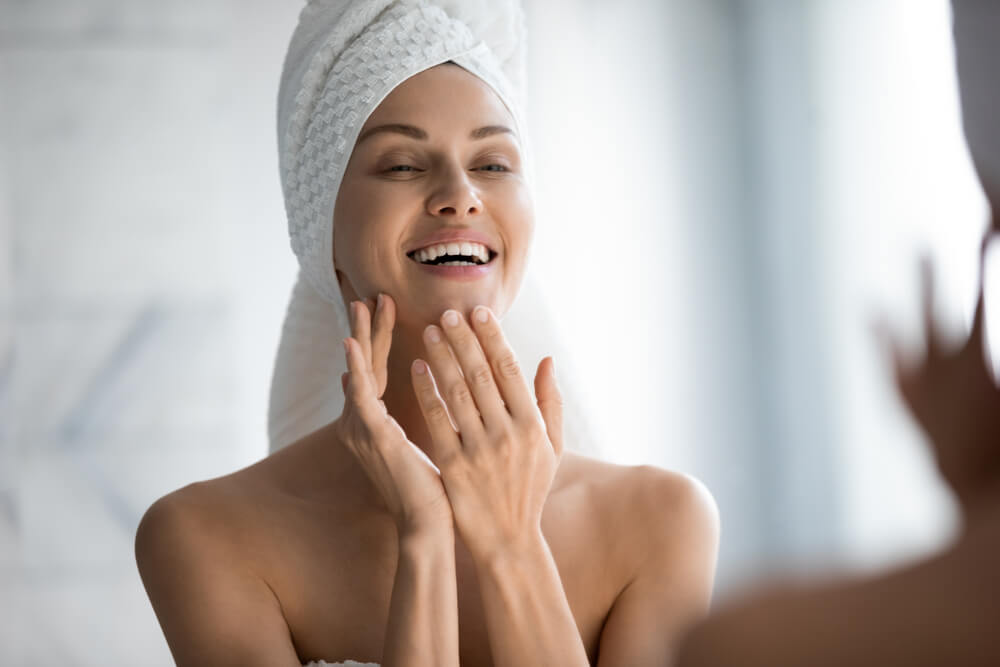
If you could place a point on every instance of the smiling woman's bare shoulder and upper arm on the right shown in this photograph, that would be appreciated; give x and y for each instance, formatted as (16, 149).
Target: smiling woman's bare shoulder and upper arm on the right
(657, 532)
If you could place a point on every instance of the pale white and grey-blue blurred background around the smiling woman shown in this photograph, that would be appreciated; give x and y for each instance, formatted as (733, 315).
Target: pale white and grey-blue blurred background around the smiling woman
(728, 192)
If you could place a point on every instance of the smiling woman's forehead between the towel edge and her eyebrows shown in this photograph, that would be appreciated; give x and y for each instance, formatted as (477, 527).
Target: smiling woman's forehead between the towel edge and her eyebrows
(444, 97)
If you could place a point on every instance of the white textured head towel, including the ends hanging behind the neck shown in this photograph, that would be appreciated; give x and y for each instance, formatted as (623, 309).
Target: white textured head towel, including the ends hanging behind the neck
(344, 58)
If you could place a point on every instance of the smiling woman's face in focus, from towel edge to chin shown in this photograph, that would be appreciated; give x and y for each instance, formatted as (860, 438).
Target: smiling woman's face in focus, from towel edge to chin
(436, 164)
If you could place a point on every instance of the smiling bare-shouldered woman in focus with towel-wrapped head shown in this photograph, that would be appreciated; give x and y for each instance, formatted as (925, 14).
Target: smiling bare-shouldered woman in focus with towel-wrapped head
(437, 520)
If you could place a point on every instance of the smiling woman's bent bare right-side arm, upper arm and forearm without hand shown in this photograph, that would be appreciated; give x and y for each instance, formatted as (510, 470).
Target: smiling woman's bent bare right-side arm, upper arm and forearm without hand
(674, 525)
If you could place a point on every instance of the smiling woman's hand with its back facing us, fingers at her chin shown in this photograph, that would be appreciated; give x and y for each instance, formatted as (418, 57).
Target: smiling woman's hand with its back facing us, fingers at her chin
(498, 467)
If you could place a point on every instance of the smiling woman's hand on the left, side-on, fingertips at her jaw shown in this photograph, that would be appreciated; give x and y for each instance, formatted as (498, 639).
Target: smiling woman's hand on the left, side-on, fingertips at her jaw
(408, 482)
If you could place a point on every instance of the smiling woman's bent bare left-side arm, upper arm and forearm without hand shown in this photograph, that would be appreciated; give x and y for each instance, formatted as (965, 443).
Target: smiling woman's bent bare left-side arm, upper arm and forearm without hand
(215, 611)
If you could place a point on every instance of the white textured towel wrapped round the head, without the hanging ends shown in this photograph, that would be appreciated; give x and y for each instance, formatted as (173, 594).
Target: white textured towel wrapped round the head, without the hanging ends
(344, 59)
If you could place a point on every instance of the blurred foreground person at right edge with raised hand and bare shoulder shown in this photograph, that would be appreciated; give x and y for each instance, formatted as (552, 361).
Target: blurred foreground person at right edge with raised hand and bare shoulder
(943, 610)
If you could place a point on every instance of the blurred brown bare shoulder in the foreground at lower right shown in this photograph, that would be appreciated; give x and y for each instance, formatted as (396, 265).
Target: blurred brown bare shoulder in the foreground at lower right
(939, 612)
